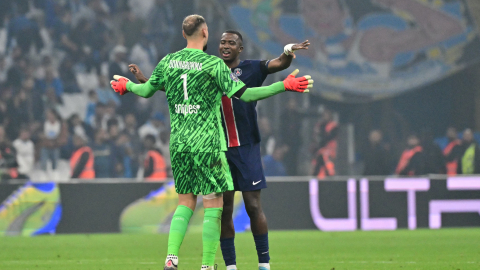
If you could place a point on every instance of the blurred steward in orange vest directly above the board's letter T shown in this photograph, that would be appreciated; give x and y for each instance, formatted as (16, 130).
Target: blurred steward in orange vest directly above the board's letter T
(412, 161)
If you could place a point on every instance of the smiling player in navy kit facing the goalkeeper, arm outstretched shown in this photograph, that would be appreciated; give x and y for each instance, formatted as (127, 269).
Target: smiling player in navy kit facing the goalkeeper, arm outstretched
(243, 139)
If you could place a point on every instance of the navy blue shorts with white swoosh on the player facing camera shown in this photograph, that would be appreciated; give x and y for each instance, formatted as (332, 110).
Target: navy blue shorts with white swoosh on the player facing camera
(245, 164)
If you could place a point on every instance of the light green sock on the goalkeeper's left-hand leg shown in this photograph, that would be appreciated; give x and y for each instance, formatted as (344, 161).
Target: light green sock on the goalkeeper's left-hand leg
(178, 228)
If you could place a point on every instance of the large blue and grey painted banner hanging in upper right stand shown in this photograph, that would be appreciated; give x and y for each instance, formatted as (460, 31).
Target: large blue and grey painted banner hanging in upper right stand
(365, 50)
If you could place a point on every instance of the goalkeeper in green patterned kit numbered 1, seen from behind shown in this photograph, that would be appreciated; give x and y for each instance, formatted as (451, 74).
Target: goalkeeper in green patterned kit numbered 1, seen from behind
(194, 83)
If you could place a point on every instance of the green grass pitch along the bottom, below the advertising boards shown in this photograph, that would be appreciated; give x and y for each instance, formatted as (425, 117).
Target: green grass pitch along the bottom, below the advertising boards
(420, 249)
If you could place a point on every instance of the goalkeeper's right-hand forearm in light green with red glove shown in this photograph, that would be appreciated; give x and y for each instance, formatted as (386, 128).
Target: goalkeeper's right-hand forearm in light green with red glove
(300, 84)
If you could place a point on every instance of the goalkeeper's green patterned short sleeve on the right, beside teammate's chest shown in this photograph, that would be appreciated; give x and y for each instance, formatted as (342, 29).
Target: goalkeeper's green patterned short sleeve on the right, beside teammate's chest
(226, 80)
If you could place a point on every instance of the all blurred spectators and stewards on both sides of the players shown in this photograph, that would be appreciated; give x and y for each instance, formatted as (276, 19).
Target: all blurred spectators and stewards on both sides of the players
(56, 58)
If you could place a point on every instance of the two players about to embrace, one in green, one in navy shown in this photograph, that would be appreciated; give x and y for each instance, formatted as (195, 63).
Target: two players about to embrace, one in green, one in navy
(195, 82)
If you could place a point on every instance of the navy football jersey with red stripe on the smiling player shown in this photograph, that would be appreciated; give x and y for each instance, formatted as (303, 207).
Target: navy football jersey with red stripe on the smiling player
(239, 118)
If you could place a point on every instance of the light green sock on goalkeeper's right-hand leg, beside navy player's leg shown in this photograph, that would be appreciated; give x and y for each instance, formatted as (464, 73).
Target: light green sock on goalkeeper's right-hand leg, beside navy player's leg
(211, 234)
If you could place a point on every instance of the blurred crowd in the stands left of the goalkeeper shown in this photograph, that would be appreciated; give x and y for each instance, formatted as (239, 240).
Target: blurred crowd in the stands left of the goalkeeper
(56, 58)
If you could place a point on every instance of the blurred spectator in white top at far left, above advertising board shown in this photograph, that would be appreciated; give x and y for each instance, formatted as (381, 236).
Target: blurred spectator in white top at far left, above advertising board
(25, 154)
